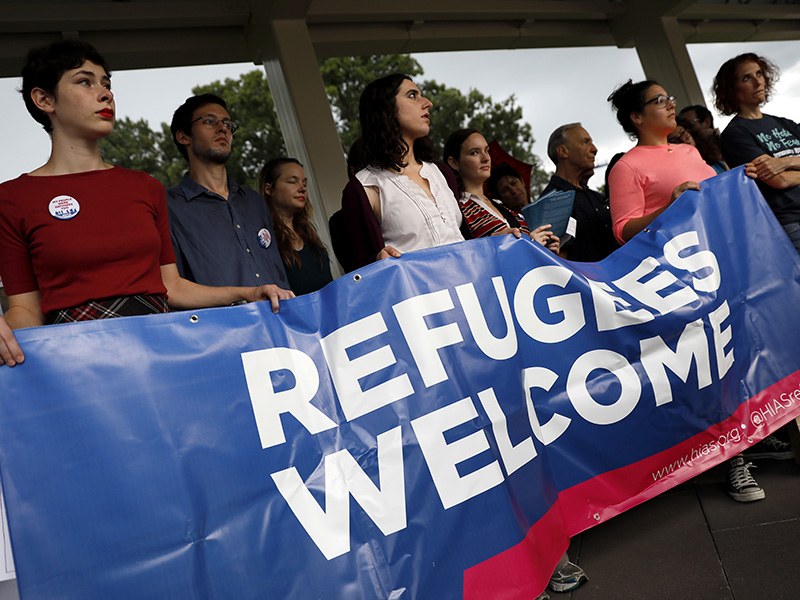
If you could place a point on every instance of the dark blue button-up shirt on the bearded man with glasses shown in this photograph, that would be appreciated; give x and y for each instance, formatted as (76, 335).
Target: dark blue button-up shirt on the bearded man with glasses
(220, 241)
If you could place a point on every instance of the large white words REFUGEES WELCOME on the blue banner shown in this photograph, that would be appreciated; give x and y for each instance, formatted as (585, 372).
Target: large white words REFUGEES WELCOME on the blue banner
(434, 330)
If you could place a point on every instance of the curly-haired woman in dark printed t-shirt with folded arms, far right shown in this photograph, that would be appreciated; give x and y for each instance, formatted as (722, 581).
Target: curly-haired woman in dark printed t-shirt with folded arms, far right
(768, 145)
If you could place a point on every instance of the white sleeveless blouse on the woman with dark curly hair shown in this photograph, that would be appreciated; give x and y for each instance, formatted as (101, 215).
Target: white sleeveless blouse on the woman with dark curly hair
(410, 220)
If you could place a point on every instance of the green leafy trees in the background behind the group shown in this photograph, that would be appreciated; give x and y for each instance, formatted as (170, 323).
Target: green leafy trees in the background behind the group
(134, 145)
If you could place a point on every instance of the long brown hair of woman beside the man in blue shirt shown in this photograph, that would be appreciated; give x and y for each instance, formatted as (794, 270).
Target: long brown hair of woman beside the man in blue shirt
(301, 222)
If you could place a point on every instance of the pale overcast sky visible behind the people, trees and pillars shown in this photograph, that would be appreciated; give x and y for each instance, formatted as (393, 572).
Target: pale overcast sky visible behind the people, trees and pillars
(553, 87)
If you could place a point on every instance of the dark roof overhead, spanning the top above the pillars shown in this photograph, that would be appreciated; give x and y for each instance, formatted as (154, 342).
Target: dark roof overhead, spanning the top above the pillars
(166, 33)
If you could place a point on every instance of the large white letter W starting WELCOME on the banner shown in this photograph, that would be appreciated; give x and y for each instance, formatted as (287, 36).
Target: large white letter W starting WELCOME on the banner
(330, 528)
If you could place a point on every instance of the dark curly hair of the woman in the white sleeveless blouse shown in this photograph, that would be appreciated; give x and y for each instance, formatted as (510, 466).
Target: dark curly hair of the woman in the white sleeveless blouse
(384, 145)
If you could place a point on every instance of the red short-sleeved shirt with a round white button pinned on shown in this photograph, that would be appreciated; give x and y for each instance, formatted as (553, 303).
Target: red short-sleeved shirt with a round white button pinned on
(84, 236)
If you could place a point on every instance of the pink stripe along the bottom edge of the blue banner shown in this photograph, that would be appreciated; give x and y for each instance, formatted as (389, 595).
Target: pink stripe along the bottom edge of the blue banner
(522, 571)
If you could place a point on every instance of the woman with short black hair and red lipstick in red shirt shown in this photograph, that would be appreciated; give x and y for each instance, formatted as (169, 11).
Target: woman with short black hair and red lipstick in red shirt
(81, 239)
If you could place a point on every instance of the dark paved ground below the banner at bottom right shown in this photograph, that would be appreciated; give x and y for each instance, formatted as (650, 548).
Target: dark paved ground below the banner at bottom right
(696, 543)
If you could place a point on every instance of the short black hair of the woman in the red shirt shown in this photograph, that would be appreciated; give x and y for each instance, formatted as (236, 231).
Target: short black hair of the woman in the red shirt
(44, 67)
